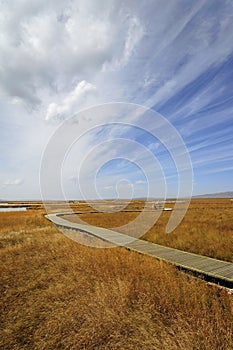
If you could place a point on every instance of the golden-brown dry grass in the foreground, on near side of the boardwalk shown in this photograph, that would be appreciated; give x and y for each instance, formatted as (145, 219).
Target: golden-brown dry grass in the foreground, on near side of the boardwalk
(57, 294)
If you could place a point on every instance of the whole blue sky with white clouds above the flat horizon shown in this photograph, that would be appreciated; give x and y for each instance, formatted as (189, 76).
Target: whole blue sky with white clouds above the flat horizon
(115, 99)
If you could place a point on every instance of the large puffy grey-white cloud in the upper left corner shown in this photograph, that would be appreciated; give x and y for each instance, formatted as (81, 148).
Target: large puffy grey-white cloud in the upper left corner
(47, 47)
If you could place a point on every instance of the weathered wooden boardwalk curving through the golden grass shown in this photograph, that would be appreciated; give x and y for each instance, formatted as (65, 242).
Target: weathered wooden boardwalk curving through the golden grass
(218, 271)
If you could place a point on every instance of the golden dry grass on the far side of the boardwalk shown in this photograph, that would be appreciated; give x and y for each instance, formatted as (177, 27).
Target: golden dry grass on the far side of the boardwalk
(206, 229)
